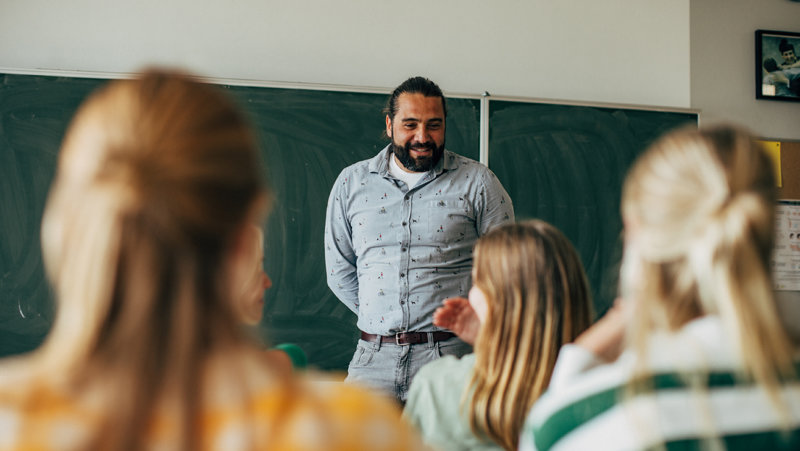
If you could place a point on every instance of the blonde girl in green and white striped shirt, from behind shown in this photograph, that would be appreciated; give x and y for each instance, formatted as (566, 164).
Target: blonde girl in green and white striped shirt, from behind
(705, 363)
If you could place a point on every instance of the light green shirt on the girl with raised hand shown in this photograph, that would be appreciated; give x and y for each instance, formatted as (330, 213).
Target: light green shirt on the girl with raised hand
(434, 405)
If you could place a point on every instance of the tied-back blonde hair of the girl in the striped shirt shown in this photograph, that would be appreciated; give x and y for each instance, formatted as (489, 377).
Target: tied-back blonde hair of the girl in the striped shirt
(701, 204)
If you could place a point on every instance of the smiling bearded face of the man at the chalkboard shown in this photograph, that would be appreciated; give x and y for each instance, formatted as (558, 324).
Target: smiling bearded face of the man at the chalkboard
(417, 131)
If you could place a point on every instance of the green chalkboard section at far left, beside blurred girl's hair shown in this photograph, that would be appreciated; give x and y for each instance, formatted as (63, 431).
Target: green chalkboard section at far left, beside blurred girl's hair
(34, 113)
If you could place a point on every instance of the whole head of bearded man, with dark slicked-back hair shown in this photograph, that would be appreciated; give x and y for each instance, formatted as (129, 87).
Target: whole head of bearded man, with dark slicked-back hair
(415, 122)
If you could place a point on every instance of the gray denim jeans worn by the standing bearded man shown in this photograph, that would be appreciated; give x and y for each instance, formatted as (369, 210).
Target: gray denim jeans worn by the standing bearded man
(389, 367)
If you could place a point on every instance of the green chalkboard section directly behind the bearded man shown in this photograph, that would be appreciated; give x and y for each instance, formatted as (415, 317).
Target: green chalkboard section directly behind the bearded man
(308, 137)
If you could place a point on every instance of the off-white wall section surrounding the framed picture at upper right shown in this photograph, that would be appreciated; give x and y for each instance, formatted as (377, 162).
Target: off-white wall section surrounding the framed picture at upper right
(723, 59)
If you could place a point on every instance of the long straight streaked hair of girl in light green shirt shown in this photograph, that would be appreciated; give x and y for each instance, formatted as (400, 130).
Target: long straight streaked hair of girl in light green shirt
(538, 299)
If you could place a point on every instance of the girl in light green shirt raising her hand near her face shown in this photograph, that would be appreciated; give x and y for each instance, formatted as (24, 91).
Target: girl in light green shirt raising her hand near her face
(530, 296)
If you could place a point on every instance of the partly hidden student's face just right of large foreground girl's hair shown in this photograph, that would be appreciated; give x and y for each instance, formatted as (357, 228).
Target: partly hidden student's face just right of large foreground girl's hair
(250, 278)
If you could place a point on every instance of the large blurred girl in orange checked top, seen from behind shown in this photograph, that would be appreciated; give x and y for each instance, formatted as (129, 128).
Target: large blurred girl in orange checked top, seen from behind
(158, 180)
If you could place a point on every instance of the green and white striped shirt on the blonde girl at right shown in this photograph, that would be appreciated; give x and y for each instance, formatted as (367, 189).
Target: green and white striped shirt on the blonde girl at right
(694, 398)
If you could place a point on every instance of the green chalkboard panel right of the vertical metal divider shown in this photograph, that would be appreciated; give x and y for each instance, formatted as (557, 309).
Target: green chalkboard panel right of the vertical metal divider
(566, 164)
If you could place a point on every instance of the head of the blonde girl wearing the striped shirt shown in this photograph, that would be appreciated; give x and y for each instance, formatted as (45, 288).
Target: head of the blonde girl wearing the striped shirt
(697, 205)
